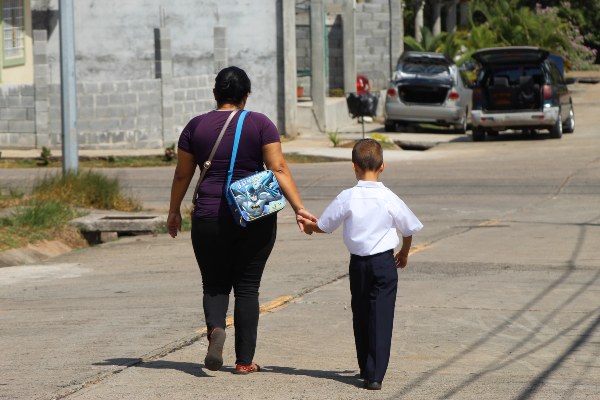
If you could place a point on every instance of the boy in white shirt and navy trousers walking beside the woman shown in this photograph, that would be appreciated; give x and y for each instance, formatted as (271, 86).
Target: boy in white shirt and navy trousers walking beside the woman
(371, 213)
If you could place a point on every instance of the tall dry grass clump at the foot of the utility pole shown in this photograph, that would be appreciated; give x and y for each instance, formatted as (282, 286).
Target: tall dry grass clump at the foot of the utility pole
(86, 189)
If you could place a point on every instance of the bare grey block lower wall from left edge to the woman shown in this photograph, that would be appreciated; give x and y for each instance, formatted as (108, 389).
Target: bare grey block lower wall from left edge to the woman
(118, 114)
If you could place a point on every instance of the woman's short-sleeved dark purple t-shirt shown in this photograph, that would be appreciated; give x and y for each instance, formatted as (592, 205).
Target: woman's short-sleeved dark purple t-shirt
(199, 137)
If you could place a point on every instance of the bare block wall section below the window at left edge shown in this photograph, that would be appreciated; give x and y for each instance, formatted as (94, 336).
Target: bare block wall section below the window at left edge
(17, 116)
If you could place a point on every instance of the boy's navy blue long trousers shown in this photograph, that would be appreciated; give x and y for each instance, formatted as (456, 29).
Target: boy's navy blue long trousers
(373, 285)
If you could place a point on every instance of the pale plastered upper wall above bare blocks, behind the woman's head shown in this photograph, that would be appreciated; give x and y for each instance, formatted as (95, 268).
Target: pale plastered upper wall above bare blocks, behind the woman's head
(116, 41)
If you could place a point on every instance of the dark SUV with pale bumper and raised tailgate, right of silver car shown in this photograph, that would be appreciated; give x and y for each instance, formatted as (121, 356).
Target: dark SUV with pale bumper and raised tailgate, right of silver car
(520, 88)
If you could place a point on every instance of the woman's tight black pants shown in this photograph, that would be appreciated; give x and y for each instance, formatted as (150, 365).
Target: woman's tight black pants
(233, 257)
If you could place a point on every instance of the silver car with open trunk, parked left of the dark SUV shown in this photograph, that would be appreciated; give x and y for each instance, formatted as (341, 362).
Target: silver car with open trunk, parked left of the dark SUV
(427, 88)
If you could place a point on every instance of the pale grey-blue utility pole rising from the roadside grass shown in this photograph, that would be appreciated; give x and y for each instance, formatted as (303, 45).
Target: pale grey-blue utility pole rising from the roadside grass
(68, 84)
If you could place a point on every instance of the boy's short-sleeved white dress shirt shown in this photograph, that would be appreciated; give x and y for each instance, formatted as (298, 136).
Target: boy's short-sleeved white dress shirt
(371, 213)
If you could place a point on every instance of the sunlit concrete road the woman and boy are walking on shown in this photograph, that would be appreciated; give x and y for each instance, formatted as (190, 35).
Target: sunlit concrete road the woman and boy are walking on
(501, 301)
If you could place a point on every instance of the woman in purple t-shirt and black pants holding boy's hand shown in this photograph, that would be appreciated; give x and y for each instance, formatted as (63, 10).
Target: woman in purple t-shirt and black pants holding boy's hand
(230, 256)
